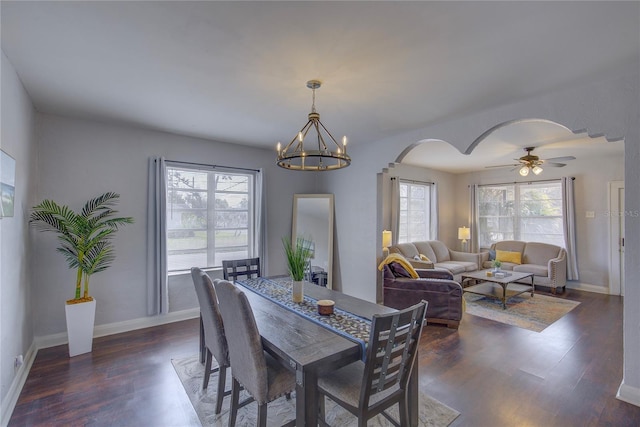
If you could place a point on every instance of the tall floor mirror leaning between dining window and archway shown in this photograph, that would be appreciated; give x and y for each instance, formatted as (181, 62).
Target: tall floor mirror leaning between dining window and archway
(313, 220)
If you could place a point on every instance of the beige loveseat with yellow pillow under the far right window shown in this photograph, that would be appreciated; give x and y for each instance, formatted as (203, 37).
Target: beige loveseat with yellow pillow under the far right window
(547, 262)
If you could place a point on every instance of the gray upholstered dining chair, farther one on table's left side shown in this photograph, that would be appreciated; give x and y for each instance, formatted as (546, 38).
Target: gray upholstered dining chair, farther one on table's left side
(212, 328)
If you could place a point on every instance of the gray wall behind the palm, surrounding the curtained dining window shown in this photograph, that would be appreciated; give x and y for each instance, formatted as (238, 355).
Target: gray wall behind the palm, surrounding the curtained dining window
(80, 159)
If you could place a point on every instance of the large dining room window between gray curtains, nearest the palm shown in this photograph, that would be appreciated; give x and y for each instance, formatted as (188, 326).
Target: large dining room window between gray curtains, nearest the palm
(210, 216)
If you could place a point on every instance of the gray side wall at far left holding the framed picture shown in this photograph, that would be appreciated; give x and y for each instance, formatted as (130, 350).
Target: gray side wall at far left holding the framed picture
(18, 139)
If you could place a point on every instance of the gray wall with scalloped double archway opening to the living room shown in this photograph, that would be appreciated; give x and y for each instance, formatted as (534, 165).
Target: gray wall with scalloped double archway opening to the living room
(607, 104)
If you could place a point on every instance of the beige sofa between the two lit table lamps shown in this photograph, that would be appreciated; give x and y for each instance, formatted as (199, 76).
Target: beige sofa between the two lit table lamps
(438, 256)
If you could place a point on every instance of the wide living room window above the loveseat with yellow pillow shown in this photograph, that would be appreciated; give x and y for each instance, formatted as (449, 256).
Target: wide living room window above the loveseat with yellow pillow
(528, 211)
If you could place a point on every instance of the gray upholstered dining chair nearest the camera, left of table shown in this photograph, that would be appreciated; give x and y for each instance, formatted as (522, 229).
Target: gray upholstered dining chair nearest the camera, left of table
(262, 376)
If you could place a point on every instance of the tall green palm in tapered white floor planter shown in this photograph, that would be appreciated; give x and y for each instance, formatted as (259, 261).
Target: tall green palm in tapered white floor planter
(86, 242)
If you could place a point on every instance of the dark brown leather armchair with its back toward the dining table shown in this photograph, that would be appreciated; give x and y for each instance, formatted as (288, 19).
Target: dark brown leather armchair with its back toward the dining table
(435, 286)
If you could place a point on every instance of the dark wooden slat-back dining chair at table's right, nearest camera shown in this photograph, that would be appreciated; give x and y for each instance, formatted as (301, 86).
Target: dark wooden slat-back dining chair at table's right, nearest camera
(369, 388)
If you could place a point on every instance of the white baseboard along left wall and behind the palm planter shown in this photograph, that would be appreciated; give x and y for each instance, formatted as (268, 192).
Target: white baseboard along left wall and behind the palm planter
(9, 402)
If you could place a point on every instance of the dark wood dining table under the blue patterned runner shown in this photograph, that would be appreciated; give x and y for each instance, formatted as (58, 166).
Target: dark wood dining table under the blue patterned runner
(310, 349)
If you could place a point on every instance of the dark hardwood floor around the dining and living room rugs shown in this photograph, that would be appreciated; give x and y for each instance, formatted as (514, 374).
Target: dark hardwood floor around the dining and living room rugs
(493, 374)
